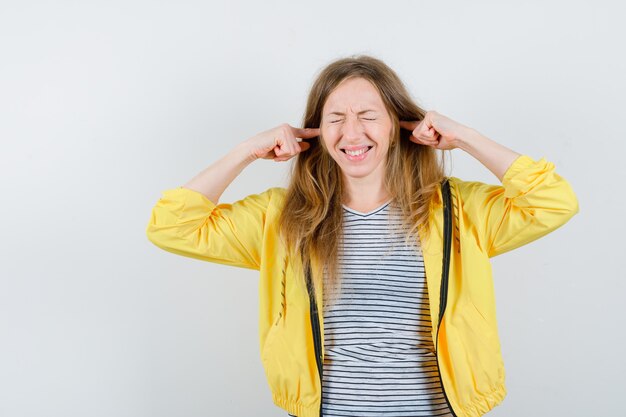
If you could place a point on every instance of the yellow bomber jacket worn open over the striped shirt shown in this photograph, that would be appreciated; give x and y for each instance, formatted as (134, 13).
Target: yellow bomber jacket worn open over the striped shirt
(488, 220)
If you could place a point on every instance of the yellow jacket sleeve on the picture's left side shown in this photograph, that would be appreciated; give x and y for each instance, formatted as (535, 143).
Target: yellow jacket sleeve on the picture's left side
(187, 223)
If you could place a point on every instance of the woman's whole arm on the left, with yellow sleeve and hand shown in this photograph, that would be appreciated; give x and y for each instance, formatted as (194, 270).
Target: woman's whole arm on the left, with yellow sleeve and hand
(188, 221)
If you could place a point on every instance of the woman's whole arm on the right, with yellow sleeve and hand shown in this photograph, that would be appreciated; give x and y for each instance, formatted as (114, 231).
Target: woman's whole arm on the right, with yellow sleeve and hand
(532, 201)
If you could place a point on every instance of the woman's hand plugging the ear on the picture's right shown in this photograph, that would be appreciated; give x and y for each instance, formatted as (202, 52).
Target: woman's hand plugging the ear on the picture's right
(436, 130)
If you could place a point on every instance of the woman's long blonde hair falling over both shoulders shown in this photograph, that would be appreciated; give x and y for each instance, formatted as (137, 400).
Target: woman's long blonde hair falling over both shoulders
(311, 221)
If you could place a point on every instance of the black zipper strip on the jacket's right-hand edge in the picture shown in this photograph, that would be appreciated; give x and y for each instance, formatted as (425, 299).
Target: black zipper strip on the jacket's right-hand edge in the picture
(445, 269)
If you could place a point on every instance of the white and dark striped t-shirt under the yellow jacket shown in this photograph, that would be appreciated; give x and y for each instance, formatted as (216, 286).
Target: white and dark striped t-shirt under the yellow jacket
(379, 354)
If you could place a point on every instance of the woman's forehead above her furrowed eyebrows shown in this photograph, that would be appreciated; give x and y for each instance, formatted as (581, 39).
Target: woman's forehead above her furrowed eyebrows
(355, 93)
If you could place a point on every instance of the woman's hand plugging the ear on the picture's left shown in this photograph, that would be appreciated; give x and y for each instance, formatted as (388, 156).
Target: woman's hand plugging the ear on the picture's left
(280, 143)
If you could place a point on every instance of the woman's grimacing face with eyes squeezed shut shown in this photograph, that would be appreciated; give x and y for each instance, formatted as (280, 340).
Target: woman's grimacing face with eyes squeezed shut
(356, 129)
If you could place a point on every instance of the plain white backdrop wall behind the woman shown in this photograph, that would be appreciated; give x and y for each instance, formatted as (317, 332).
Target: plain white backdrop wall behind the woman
(105, 104)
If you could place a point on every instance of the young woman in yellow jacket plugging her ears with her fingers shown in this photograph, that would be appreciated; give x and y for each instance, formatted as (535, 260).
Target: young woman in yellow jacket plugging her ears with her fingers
(394, 254)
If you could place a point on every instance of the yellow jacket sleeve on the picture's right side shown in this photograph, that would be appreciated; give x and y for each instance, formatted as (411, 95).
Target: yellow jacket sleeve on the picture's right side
(532, 201)
